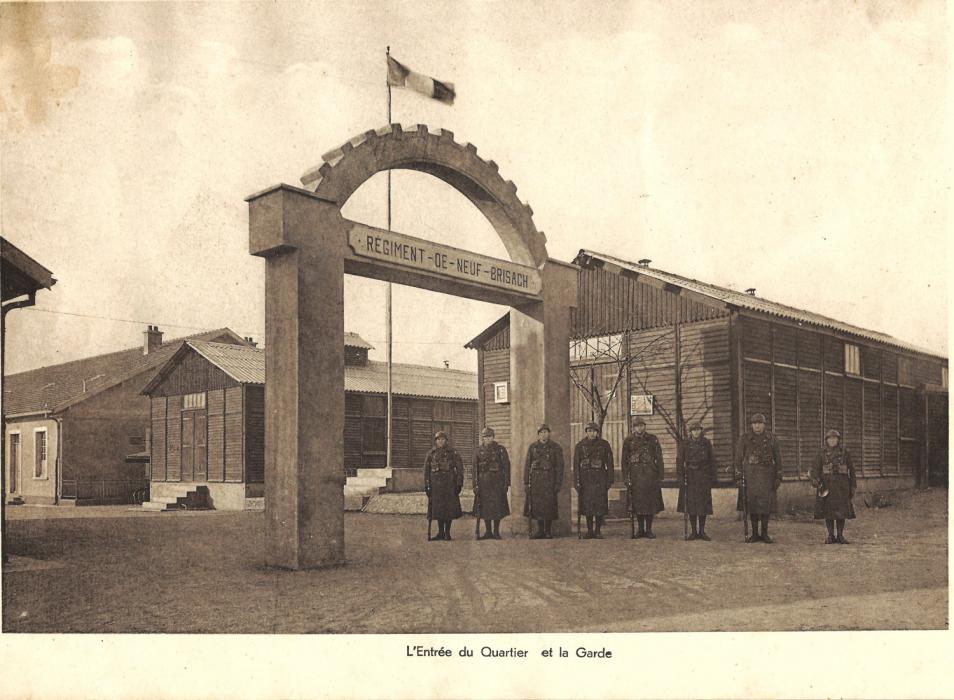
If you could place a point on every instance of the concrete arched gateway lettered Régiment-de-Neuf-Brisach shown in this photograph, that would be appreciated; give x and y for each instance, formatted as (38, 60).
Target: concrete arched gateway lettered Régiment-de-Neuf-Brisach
(309, 247)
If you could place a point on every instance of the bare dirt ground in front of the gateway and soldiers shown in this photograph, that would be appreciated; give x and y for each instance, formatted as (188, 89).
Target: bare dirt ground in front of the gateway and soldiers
(114, 570)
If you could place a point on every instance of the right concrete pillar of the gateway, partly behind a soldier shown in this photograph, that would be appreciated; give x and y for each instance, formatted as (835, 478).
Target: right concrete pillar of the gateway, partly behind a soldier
(540, 384)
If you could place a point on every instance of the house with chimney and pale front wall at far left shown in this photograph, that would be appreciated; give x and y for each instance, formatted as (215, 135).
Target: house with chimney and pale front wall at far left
(70, 429)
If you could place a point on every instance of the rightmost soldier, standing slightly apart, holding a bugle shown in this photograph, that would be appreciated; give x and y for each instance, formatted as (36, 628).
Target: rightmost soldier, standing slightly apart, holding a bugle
(833, 475)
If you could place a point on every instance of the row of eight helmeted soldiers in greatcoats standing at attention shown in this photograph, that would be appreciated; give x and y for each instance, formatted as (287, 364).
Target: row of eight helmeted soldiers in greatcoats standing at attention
(758, 473)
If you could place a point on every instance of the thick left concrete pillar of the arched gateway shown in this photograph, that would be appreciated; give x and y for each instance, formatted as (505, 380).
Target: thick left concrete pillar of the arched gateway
(302, 240)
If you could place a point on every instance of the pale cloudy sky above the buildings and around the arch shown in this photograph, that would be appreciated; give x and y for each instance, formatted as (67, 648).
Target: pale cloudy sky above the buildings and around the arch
(798, 148)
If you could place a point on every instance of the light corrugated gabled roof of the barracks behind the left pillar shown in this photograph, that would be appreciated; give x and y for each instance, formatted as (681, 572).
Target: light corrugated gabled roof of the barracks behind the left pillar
(246, 365)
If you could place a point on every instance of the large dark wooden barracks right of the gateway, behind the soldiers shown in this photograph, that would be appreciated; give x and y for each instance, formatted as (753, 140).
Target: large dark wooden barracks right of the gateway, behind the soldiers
(693, 351)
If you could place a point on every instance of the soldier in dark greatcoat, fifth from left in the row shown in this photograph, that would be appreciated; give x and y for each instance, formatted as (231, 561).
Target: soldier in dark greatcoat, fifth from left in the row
(643, 474)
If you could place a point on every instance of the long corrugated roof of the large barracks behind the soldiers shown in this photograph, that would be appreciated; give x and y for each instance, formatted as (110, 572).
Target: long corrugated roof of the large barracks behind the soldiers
(754, 303)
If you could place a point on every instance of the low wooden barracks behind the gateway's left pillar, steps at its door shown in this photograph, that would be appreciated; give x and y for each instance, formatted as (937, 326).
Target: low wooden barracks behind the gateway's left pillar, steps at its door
(208, 420)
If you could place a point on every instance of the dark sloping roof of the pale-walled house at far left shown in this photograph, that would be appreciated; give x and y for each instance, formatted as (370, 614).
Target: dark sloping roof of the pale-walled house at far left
(55, 388)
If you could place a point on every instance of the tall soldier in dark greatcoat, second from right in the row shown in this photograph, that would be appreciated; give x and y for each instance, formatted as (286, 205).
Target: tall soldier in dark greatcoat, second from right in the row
(758, 464)
